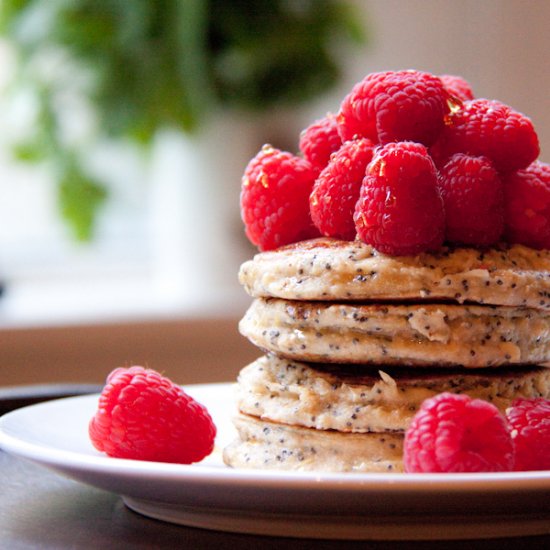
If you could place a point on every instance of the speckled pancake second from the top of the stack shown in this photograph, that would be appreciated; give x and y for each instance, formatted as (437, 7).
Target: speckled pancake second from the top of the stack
(429, 334)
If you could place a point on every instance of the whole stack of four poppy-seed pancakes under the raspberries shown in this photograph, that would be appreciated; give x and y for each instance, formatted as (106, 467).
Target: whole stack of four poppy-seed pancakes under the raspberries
(355, 340)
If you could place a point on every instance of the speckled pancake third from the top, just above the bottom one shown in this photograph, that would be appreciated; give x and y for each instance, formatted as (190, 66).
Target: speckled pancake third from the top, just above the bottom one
(350, 399)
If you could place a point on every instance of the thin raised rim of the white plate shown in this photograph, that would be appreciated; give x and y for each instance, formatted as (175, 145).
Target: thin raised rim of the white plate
(325, 481)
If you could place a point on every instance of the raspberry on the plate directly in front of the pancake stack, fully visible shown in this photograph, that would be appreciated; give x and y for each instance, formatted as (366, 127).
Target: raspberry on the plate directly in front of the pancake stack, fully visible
(455, 433)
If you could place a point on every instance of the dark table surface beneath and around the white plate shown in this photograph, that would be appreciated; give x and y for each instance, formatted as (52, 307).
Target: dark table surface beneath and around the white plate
(41, 509)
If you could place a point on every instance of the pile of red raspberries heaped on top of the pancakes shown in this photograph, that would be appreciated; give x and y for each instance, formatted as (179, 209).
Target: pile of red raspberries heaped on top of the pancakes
(410, 162)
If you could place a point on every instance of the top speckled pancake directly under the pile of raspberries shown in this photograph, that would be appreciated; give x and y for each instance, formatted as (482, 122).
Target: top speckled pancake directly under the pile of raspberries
(328, 269)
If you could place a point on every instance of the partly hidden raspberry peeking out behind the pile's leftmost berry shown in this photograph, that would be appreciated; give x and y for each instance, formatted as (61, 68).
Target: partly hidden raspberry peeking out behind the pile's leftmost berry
(319, 140)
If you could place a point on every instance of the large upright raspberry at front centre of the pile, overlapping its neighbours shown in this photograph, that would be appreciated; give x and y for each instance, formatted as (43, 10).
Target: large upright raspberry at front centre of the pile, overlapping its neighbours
(400, 210)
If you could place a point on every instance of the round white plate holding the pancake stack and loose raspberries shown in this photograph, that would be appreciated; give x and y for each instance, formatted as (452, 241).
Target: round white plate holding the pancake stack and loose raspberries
(210, 495)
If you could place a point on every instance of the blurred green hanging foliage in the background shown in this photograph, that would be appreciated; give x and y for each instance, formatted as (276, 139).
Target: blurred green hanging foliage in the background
(142, 65)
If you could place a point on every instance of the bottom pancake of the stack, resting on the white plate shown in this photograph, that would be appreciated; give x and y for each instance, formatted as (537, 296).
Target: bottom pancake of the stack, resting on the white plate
(268, 445)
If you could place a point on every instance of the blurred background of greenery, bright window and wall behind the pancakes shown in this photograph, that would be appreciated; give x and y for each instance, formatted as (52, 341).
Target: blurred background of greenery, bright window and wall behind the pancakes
(125, 129)
